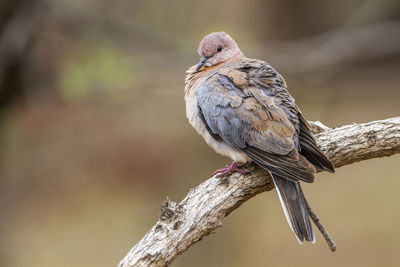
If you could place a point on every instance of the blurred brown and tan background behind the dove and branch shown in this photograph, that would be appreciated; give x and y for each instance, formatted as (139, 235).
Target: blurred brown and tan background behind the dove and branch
(94, 137)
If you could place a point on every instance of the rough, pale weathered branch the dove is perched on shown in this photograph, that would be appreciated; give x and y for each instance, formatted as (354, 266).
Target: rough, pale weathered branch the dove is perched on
(205, 206)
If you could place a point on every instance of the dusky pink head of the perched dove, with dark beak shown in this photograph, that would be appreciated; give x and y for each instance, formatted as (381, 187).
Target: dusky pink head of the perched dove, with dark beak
(216, 48)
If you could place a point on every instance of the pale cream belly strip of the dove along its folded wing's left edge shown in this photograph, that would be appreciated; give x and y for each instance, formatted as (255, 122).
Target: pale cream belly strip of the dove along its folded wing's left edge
(221, 147)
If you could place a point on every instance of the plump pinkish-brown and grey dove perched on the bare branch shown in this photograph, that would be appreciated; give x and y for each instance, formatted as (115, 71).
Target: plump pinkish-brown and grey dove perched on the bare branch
(243, 110)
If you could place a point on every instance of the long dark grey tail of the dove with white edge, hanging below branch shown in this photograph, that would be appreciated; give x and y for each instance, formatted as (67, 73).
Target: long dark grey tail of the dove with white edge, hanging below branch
(295, 209)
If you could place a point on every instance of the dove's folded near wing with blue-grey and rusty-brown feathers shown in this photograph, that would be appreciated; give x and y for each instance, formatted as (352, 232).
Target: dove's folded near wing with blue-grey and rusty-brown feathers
(236, 104)
